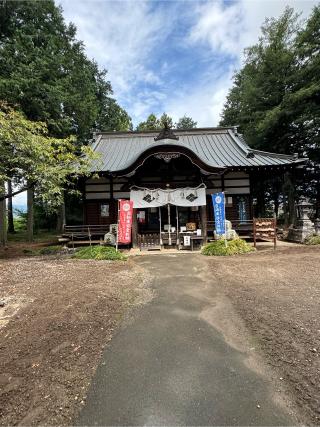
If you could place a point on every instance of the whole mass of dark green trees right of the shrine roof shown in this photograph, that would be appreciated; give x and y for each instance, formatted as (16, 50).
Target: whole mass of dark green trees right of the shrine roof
(275, 98)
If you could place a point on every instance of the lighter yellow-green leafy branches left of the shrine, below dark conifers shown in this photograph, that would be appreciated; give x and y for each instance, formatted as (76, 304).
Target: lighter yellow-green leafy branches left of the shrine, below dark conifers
(31, 158)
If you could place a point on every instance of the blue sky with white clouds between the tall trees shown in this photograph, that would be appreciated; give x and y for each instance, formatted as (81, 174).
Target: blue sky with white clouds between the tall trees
(176, 57)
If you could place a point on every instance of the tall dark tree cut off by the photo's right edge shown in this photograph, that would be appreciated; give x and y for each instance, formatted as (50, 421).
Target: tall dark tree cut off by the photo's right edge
(304, 103)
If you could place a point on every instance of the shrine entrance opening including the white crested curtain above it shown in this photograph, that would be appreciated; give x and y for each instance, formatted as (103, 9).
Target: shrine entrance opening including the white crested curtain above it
(169, 225)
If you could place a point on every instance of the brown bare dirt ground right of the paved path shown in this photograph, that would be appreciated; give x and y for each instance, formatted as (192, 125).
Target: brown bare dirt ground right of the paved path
(277, 293)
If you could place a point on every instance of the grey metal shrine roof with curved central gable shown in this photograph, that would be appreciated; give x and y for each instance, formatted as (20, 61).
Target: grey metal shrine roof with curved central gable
(215, 147)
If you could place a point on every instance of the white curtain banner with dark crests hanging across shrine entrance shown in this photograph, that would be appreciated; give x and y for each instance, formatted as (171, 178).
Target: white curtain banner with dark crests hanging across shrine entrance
(147, 198)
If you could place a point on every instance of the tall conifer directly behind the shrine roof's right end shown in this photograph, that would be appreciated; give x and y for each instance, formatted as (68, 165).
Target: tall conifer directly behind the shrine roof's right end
(261, 85)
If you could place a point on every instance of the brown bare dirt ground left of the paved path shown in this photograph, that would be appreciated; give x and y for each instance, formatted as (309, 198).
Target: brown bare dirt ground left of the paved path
(65, 311)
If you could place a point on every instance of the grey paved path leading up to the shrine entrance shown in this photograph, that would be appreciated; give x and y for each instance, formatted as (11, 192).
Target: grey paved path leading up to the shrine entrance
(172, 367)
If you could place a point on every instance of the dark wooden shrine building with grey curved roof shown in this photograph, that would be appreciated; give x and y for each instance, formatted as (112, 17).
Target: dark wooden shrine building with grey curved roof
(170, 176)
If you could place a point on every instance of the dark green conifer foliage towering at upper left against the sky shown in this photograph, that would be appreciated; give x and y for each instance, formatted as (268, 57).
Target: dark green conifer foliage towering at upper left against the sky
(44, 70)
